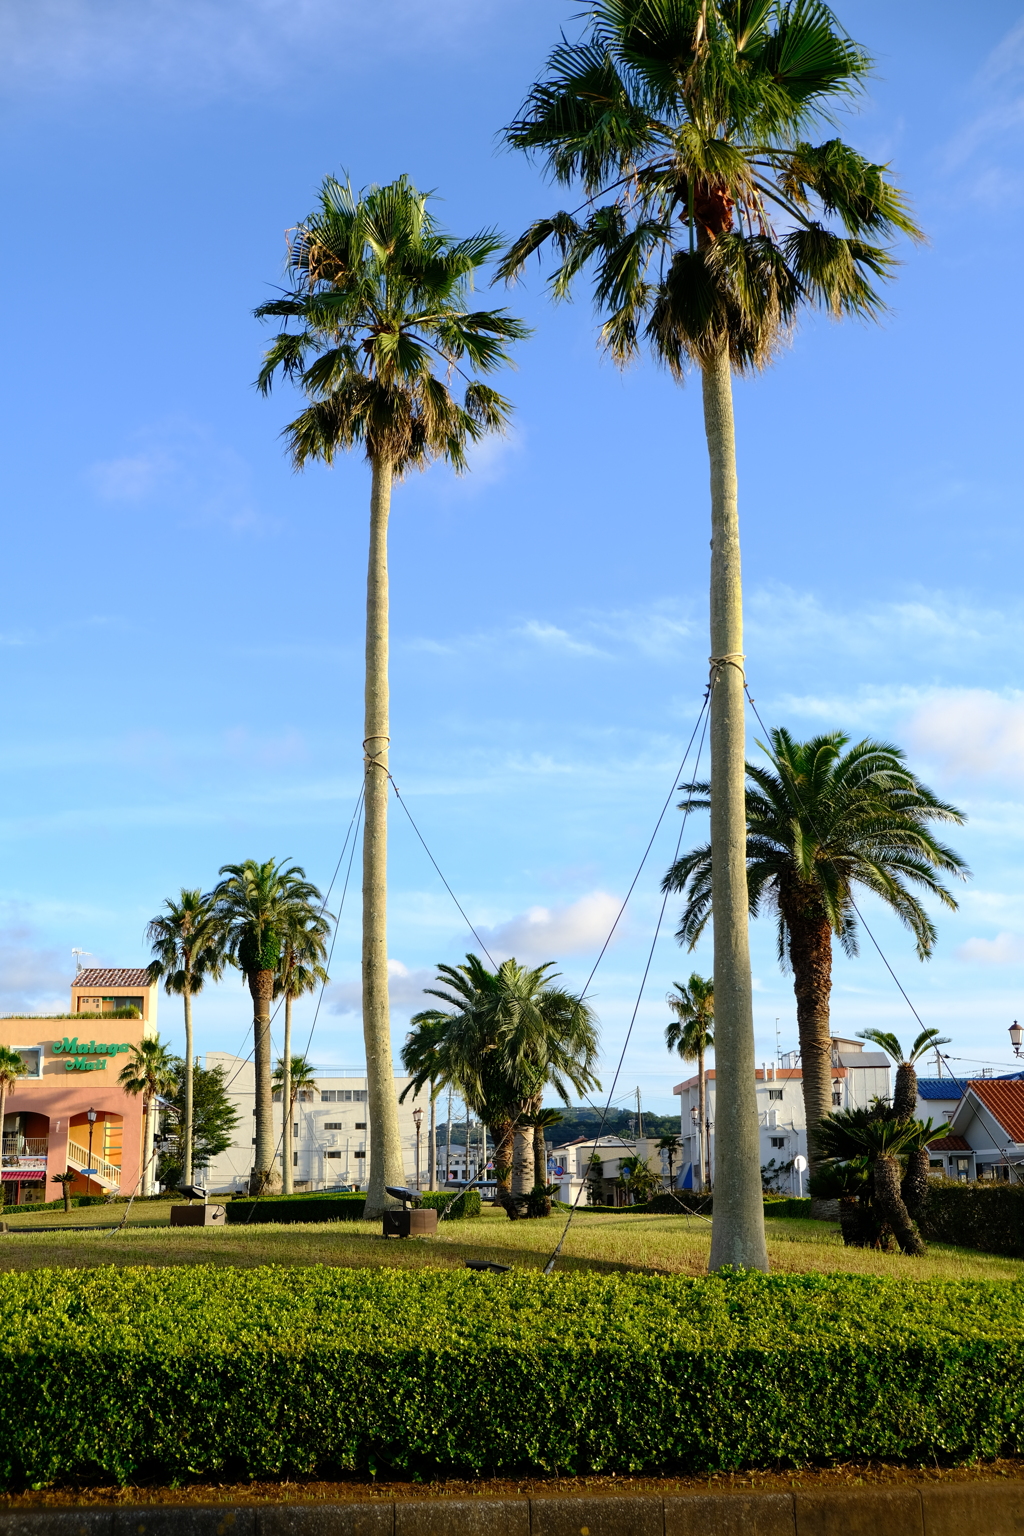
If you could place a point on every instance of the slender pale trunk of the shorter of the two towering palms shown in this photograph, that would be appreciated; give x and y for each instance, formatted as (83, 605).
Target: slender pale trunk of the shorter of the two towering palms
(386, 1147)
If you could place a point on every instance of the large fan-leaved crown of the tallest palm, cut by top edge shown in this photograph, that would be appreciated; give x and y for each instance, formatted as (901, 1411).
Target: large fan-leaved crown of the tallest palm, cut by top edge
(710, 217)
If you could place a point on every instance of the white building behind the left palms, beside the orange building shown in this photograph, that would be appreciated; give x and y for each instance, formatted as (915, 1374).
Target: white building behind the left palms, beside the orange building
(331, 1131)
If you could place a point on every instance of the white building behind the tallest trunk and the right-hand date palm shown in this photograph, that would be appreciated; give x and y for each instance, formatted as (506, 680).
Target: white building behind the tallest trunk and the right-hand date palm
(857, 1079)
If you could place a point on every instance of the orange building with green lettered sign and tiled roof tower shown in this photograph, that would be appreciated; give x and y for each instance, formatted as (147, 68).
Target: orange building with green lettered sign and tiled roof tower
(68, 1111)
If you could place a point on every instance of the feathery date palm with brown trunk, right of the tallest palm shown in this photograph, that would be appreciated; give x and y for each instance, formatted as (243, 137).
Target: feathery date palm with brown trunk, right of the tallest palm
(822, 821)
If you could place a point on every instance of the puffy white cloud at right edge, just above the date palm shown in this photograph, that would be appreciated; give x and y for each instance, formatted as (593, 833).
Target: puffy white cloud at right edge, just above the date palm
(973, 732)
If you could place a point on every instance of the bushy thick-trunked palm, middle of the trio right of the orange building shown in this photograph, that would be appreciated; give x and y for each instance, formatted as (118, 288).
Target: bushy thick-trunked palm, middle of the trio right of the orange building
(257, 907)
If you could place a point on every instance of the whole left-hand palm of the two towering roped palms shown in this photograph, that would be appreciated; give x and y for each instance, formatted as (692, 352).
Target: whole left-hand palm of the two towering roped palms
(382, 300)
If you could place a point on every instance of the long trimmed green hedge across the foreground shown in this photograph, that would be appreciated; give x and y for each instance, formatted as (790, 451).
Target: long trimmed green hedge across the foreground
(127, 1374)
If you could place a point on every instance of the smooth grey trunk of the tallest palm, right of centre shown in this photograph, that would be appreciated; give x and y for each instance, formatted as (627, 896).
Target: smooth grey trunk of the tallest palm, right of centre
(738, 1231)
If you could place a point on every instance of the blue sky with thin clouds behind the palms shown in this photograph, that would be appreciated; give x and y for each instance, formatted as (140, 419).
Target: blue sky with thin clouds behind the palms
(182, 624)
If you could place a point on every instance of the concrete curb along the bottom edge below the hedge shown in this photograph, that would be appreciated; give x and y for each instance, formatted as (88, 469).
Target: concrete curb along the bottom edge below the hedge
(965, 1509)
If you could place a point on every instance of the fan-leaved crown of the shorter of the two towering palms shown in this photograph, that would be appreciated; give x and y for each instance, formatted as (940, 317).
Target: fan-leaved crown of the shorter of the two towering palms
(382, 300)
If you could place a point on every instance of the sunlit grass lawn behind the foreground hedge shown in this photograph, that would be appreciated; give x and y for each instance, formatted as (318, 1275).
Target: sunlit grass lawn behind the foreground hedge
(601, 1243)
